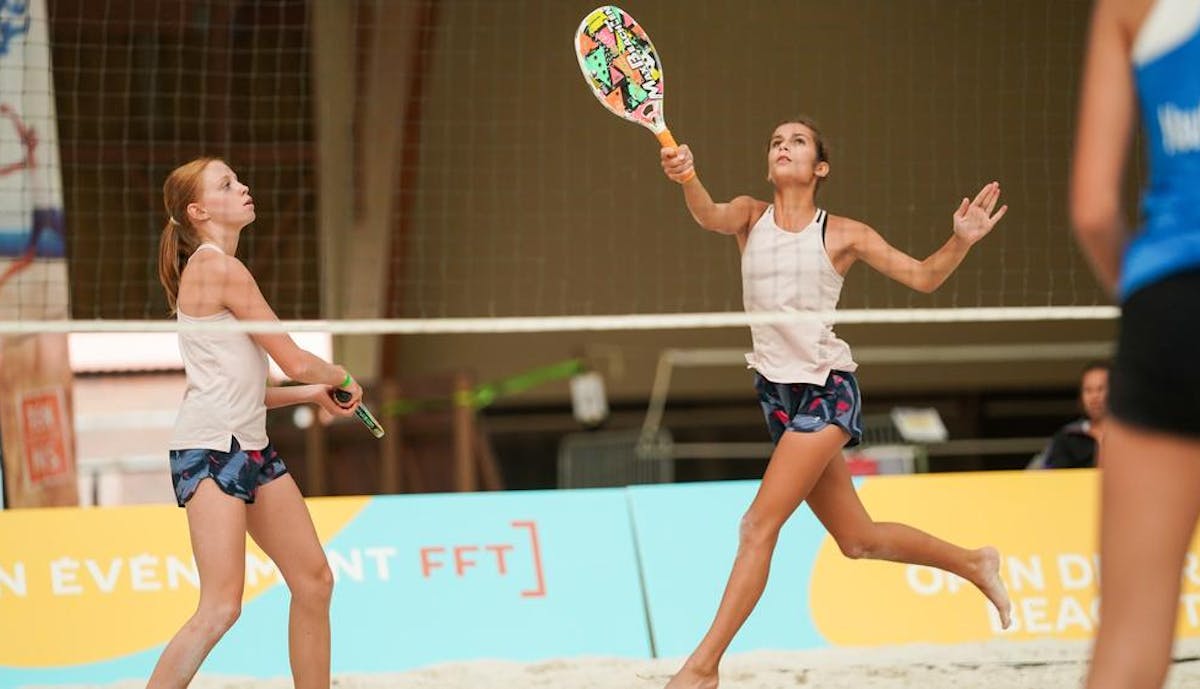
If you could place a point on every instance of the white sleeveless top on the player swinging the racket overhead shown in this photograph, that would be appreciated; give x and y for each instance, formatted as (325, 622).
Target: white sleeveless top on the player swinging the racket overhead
(791, 272)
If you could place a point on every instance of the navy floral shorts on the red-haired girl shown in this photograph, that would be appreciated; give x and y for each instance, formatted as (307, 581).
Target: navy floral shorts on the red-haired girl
(238, 472)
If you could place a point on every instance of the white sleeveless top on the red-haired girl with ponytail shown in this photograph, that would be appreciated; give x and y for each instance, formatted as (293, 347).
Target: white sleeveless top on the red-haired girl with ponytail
(226, 387)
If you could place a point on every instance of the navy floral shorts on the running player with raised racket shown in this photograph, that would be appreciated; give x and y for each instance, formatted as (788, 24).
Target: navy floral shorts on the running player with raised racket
(808, 409)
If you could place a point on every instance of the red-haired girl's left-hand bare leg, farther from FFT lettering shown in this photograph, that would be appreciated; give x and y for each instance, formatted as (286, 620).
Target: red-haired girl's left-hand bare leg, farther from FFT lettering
(218, 524)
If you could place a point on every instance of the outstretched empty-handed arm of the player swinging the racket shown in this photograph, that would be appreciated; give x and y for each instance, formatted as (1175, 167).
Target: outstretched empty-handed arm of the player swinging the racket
(973, 223)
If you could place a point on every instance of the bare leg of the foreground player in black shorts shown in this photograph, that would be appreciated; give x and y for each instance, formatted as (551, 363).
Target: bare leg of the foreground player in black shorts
(1150, 504)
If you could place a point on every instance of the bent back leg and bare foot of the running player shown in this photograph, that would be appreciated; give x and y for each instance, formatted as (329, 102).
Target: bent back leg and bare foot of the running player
(839, 508)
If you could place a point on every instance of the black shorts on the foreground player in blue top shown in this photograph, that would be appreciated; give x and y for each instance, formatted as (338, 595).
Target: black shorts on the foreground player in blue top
(1156, 380)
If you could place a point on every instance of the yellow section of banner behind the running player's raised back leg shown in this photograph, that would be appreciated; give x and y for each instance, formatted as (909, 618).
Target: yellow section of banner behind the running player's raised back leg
(1045, 525)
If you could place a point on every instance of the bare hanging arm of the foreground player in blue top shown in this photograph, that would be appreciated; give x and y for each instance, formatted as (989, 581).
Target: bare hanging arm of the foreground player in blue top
(1102, 146)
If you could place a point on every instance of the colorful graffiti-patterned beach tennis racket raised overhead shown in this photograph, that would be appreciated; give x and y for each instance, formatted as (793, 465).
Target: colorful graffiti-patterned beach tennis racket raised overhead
(623, 69)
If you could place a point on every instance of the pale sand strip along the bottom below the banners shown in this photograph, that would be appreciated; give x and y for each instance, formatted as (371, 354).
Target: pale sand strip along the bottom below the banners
(994, 666)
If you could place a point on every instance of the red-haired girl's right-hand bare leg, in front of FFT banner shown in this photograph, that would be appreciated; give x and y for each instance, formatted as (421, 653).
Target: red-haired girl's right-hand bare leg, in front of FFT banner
(280, 523)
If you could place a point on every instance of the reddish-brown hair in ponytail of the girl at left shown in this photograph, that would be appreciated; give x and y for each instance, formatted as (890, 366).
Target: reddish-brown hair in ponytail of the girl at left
(179, 236)
